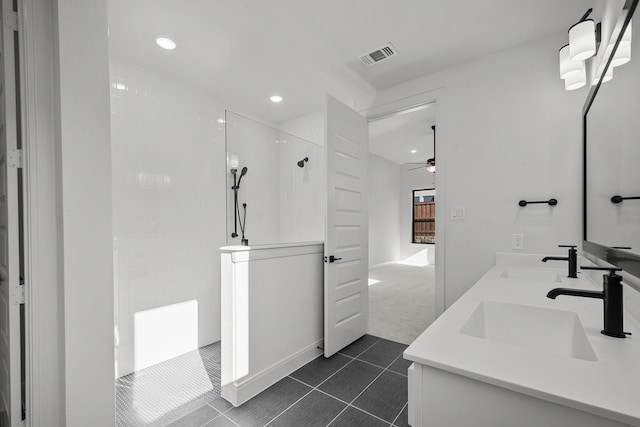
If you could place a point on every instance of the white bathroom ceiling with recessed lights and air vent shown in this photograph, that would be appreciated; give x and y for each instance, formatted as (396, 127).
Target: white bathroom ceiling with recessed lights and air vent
(243, 51)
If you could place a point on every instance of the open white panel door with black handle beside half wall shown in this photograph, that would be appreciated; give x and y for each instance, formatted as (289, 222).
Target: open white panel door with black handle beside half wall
(346, 293)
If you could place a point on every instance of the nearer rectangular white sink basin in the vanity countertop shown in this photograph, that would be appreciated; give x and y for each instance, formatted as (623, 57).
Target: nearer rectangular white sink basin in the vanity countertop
(536, 328)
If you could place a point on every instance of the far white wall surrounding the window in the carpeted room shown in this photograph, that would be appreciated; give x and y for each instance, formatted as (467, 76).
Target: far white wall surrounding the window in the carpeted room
(413, 180)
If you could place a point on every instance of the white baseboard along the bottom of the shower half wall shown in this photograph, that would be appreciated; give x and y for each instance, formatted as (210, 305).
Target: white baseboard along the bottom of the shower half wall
(241, 391)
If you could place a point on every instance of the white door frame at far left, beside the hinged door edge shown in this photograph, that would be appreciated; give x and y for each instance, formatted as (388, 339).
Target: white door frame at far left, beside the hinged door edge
(44, 345)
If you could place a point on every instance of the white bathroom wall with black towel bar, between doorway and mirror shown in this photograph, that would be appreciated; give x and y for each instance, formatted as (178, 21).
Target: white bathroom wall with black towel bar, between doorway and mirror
(512, 132)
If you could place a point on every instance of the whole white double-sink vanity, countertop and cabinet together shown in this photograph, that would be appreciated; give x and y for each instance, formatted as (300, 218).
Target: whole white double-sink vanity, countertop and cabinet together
(506, 355)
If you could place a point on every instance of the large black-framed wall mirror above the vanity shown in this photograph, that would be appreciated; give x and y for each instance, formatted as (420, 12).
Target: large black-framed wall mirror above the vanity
(612, 157)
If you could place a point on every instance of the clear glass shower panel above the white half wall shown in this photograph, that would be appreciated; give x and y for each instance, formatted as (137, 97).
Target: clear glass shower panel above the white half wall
(284, 192)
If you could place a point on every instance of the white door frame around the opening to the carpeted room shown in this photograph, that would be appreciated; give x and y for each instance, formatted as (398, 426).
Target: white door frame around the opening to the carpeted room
(438, 97)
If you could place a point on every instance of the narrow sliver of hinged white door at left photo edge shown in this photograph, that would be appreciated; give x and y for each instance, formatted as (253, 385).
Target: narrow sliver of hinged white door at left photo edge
(10, 292)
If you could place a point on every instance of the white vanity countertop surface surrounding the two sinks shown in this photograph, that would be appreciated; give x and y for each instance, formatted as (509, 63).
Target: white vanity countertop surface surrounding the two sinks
(608, 387)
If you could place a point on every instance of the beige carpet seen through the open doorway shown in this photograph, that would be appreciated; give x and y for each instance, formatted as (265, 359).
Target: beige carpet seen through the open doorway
(401, 304)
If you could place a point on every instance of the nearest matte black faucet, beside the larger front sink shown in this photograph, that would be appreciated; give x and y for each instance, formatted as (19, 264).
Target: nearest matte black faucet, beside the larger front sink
(611, 294)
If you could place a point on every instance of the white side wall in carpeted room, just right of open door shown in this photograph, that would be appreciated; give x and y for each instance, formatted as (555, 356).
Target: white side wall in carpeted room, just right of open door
(384, 211)
